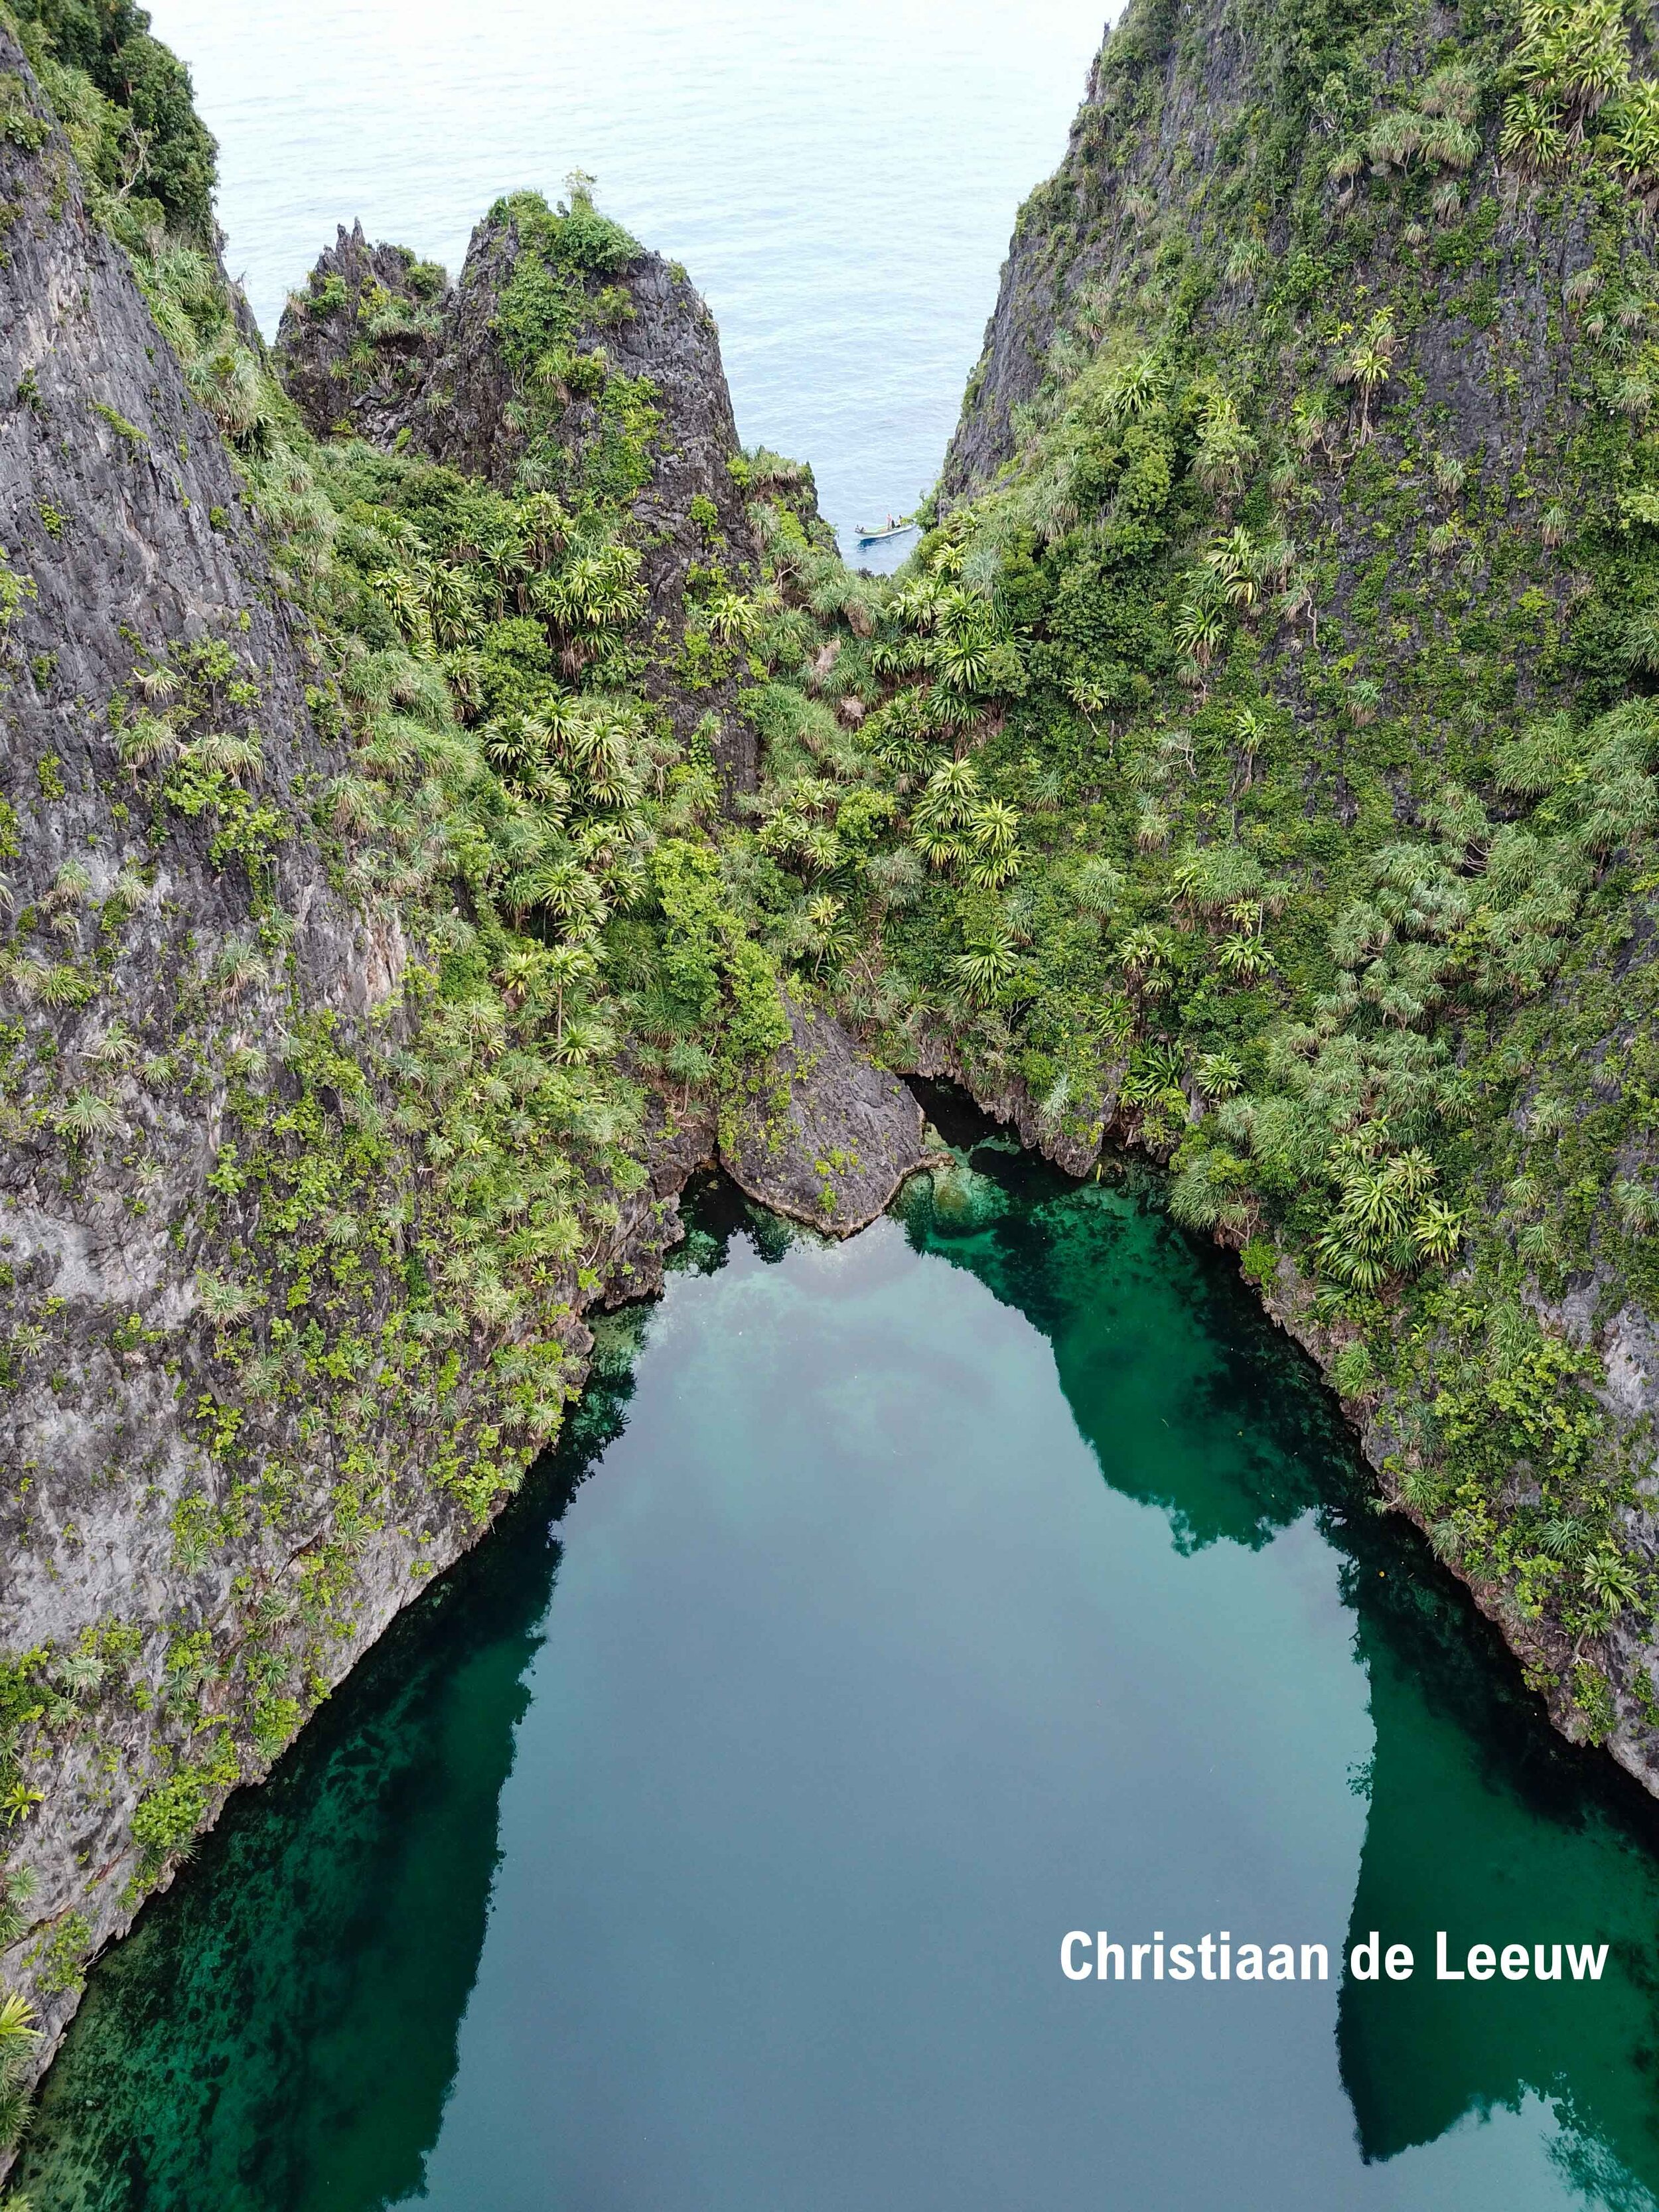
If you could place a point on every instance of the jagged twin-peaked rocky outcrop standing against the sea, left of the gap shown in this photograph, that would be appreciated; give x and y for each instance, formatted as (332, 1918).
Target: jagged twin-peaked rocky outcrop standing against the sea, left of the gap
(364, 353)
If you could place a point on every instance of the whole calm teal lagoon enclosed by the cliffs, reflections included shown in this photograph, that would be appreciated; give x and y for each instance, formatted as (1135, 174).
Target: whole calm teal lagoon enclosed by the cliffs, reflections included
(906, 1605)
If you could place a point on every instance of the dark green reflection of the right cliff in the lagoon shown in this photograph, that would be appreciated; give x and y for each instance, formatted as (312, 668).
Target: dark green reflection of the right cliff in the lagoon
(1481, 1822)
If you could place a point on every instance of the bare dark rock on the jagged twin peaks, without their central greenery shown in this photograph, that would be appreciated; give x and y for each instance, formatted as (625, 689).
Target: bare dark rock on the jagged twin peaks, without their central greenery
(444, 390)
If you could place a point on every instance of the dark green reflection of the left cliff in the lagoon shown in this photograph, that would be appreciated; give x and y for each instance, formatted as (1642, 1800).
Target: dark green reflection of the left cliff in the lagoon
(280, 2030)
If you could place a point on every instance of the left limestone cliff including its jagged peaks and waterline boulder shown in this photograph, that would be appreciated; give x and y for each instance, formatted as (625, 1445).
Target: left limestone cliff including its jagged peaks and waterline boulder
(317, 1125)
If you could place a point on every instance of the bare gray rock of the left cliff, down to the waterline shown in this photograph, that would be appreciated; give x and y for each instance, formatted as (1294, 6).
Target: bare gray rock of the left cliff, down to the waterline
(127, 547)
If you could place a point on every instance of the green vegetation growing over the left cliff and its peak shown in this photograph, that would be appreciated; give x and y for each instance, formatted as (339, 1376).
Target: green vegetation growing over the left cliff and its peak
(406, 1213)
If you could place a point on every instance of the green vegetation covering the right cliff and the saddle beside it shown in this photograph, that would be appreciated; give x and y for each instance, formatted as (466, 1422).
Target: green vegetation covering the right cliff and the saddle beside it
(1255, 775)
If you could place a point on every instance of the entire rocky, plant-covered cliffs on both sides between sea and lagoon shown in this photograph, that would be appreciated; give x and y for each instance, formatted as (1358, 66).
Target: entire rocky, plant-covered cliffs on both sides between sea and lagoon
(452, 793)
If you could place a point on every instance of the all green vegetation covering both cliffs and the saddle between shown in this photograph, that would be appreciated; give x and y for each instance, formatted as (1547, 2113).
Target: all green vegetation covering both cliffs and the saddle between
(1262, 769)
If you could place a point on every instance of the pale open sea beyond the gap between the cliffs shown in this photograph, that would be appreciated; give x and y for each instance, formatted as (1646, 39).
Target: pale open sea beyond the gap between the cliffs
(837, 176)
